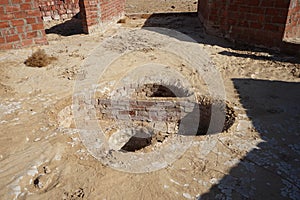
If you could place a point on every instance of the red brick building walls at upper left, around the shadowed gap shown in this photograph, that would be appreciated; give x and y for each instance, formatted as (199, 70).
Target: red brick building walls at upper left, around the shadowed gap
(21, 21)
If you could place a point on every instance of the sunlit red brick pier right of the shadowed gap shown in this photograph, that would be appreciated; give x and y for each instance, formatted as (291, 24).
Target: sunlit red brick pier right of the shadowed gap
(97, 13)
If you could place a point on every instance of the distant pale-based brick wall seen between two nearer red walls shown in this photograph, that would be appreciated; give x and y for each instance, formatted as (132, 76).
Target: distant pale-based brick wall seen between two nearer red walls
(58, 9)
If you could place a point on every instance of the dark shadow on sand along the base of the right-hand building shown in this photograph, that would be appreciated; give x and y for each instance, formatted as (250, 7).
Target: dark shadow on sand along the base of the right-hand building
(189, 24)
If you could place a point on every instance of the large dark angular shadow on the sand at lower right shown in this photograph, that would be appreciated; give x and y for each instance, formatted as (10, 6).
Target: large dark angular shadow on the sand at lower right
(272, 170)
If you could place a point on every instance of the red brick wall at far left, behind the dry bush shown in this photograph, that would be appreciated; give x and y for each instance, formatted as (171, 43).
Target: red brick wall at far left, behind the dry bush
(20, 24)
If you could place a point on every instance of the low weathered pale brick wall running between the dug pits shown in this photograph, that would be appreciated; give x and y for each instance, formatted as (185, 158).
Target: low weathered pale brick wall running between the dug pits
(168, 110)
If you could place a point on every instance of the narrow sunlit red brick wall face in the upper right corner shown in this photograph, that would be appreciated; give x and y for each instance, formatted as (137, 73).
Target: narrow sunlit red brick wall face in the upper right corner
(292, 29)
